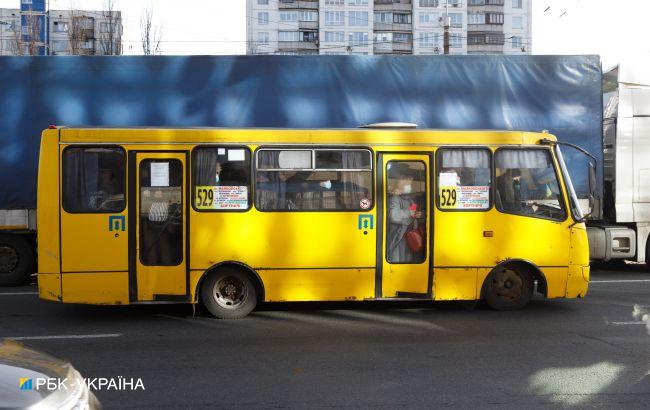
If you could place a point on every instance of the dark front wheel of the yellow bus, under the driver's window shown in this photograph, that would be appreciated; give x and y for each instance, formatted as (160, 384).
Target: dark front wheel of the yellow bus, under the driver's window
(508, 288)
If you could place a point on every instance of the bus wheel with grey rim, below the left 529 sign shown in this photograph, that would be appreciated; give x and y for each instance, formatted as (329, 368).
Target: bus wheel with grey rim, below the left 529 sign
(229, 293)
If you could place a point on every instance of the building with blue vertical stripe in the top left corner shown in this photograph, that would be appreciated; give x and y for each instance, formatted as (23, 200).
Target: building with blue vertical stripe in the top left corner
(34, 30)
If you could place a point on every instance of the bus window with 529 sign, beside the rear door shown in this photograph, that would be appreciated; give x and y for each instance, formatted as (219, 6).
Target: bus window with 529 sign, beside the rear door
(222, 178)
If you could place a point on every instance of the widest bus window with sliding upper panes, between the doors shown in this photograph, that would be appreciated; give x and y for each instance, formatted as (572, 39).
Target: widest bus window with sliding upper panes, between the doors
(305, 179)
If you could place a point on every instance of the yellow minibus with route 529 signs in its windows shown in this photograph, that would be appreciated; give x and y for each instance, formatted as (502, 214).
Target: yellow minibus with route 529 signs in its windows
(234, 217)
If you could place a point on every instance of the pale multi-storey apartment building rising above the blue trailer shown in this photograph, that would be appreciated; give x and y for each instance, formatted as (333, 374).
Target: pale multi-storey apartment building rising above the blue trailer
(388, 26)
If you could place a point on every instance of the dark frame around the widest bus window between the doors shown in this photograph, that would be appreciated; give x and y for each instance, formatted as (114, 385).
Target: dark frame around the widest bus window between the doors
(313, 148)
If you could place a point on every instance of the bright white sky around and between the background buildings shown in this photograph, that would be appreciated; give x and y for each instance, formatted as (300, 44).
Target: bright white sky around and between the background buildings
(612, 29)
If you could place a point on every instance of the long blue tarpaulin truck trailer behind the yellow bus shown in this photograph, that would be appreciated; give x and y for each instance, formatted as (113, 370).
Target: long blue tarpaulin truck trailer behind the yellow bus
(561, 94)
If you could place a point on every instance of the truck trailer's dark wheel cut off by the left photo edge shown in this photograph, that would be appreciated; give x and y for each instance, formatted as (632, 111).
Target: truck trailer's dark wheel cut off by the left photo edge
(16, 260)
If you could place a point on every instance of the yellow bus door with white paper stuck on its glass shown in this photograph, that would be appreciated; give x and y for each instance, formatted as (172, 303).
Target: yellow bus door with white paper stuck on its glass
(158, 244)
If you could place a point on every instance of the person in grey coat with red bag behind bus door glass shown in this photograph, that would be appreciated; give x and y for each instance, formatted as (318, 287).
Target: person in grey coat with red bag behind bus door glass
(403, 212)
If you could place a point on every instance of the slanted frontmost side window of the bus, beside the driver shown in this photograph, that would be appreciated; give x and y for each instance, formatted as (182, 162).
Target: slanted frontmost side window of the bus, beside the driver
(526, 184)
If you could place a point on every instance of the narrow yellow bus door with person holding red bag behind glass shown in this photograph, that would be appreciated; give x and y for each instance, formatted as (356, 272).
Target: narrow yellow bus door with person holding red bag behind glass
(404, 268)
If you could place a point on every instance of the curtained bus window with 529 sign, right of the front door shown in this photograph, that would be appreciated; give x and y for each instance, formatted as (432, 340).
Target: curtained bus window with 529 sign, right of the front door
(464, 179)
